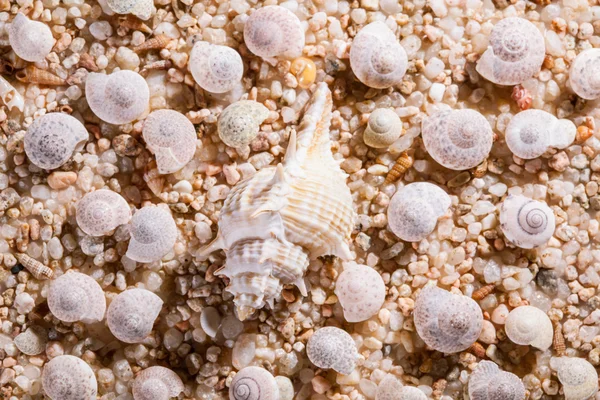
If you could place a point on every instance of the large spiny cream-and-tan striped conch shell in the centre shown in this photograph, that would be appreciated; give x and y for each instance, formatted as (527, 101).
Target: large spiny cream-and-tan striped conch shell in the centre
(272, 223)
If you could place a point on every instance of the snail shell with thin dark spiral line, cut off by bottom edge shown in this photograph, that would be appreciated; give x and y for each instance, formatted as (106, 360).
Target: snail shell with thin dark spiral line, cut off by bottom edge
(253, 383)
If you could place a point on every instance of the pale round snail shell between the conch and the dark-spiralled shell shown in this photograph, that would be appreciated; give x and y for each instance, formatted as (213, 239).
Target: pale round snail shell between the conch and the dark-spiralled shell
(414, 210)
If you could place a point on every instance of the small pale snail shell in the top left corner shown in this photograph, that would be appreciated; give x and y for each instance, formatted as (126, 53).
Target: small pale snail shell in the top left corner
(30, 40)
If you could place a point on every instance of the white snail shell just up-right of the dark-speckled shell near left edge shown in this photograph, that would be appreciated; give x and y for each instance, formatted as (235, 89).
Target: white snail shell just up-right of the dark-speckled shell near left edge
(118, 98)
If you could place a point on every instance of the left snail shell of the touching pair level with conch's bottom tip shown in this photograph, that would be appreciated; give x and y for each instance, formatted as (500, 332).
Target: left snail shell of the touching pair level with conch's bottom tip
(76, 297)
